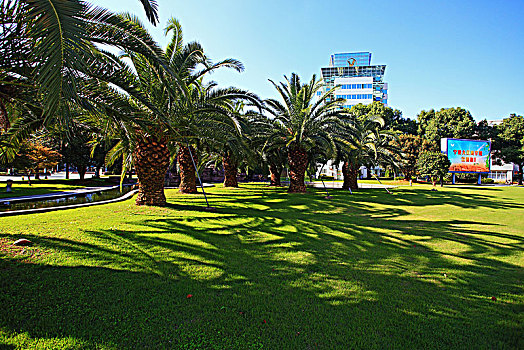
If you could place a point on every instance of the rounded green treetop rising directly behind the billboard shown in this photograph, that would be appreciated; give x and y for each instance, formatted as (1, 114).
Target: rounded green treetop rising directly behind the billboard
(446, 123)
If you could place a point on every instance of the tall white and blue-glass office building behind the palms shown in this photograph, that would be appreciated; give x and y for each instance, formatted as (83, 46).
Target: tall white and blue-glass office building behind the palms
(359, 81)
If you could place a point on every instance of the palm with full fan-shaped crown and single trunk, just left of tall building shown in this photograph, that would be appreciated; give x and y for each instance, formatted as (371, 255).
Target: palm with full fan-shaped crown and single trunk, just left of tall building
(301, 123)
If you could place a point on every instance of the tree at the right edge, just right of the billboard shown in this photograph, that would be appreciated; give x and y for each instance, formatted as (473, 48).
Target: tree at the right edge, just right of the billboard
(510, 142)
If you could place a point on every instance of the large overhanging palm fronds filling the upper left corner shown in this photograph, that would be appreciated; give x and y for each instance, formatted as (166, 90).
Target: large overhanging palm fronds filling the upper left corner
(49, 59)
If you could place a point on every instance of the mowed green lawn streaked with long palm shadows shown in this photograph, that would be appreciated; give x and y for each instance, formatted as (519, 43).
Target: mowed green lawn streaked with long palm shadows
(269, 270)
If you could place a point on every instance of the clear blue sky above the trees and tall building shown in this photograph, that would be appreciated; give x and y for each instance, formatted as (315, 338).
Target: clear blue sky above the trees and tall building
(438, 53)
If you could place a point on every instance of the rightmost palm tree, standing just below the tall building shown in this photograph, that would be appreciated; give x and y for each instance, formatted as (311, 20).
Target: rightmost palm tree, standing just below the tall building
(365, 142)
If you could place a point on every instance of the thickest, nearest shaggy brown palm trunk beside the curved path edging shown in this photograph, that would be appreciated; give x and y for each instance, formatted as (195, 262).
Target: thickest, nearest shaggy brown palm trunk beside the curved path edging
(151, 159)
